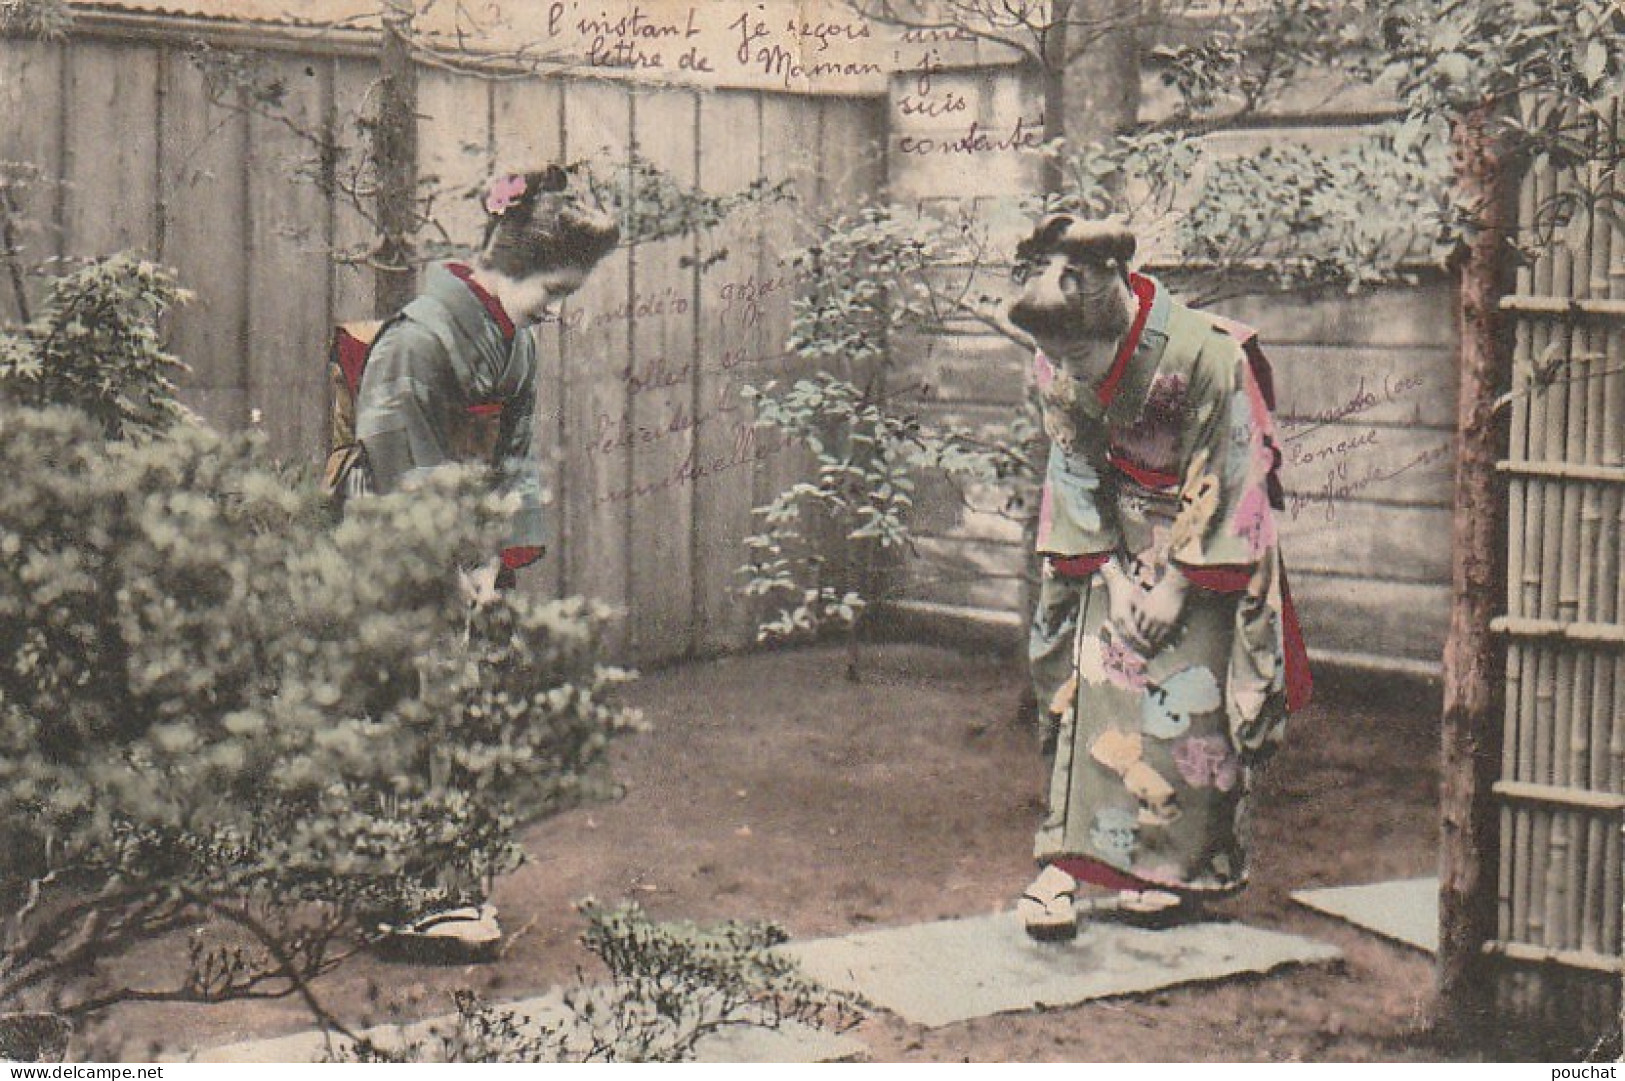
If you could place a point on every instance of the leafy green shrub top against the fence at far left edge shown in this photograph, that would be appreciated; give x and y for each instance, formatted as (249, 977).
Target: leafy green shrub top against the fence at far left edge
(97, 347)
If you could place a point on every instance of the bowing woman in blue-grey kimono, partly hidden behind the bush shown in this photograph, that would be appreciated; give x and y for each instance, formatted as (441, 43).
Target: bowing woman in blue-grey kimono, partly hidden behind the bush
(453, 378)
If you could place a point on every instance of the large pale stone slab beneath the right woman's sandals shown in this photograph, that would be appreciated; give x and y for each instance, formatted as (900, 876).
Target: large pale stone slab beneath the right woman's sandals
(937, 975)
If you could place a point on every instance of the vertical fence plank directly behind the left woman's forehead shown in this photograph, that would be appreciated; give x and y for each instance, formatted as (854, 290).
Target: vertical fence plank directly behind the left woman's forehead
(599, 126)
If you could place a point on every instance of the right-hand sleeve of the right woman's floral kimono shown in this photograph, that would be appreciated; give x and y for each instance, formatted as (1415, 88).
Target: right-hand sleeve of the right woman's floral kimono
(1226, 526)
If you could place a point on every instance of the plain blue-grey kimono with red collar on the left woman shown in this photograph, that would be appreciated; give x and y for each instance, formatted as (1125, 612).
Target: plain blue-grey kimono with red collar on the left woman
(451, 380)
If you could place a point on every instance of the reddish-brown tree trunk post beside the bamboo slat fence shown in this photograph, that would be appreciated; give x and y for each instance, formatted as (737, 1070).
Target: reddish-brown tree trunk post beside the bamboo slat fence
(1473, 658)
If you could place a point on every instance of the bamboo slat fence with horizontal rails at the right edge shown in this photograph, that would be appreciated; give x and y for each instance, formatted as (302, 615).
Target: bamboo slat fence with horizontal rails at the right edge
(1562, 789)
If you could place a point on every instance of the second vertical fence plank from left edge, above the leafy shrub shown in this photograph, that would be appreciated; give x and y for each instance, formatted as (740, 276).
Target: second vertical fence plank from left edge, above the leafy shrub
(111, 157)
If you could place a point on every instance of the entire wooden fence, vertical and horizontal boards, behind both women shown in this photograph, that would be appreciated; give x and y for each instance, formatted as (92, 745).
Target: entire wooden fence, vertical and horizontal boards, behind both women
(139, 154)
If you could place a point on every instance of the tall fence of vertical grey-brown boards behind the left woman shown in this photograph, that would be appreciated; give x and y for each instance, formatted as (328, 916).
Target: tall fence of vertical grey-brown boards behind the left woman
(649, 449)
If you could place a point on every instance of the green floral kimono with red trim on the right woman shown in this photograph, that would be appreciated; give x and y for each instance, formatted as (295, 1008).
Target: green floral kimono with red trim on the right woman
(1166, 467)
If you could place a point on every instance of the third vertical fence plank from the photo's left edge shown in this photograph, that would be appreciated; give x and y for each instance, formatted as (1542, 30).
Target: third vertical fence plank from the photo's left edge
(202, 209)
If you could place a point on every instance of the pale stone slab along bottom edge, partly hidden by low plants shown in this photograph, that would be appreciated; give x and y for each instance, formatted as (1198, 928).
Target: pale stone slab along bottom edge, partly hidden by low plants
(787, 1044)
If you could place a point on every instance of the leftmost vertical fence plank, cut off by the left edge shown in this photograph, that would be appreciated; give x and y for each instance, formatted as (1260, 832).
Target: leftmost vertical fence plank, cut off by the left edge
(32, 87)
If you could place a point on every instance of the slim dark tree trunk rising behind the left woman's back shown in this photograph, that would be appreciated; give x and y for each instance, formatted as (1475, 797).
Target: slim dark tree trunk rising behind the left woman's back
(396, 158)
